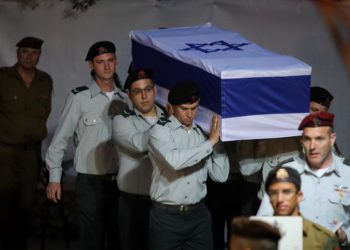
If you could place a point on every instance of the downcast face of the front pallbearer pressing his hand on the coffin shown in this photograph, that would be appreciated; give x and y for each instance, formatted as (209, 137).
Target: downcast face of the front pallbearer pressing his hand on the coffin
(186, 113)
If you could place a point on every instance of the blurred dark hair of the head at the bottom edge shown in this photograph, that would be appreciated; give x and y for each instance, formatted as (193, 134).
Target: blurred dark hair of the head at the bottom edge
(256, 234)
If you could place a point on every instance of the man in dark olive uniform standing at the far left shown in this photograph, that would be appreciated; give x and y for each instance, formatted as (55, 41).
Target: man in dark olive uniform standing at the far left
(25, 105)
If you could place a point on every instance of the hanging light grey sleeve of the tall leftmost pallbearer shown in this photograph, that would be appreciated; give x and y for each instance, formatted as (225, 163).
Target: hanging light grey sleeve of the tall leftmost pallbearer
(65, 130)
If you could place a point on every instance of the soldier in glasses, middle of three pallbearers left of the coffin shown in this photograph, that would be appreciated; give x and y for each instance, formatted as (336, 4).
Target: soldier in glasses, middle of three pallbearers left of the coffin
(130, 134)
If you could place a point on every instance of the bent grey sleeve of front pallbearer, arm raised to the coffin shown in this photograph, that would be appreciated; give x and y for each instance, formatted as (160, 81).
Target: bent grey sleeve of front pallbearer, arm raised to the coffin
(166, 153)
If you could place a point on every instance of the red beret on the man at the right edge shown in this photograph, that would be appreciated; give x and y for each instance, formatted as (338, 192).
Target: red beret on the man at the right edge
(318, 119)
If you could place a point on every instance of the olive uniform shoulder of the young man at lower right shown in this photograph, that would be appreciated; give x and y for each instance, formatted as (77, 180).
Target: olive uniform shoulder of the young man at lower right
(317, 237)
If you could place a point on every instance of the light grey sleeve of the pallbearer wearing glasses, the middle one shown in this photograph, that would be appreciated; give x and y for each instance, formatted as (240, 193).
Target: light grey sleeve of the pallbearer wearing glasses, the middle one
(127, 136)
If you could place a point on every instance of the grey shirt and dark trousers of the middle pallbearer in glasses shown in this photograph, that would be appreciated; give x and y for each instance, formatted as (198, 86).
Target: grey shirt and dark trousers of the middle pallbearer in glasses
(131, 134)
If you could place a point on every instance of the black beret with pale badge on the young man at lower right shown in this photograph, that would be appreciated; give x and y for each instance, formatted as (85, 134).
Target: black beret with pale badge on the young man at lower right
(283, 174)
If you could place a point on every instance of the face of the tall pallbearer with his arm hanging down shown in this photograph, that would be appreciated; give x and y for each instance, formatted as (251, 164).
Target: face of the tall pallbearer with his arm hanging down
(104, 66)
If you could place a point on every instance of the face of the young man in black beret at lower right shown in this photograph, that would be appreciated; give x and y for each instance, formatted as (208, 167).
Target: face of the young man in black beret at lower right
(284, 198)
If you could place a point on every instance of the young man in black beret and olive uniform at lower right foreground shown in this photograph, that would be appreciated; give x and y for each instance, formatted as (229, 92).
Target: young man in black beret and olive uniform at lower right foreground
(283, 188)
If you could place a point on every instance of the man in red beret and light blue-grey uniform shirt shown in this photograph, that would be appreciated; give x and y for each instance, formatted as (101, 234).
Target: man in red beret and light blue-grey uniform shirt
(324, 177)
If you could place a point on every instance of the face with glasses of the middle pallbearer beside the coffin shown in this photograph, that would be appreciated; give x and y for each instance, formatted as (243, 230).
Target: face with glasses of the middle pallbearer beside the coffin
(143, 93)
